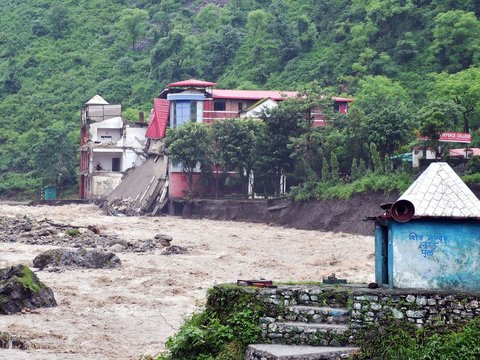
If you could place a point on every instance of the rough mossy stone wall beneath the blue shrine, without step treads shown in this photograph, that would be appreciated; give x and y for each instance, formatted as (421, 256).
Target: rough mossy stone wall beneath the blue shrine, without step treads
(360, 307)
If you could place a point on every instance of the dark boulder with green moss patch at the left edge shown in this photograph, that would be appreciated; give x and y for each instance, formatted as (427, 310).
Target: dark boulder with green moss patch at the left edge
(21, 289)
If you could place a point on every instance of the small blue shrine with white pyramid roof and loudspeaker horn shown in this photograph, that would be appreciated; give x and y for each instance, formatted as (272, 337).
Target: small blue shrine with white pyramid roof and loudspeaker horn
(430, 237)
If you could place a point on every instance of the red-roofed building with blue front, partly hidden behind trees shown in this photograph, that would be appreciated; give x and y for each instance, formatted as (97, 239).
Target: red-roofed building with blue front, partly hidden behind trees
(199, 101)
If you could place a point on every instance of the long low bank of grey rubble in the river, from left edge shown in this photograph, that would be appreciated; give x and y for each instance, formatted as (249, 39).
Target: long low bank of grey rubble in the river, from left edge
(30, 231)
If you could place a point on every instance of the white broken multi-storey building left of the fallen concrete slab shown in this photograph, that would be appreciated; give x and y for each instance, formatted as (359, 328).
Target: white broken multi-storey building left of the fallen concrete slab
(109, 146)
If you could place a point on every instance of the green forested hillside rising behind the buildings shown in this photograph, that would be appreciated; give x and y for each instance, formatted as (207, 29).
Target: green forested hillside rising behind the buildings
(409, 64)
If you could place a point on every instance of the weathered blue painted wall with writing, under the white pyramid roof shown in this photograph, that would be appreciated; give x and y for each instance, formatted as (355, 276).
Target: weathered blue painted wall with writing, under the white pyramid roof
(432, 254)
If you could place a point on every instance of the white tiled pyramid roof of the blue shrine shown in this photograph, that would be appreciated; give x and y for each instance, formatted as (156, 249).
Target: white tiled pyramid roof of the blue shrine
(440, 192)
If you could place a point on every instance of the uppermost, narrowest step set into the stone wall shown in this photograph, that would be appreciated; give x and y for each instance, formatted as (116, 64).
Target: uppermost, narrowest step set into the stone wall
(313, 314)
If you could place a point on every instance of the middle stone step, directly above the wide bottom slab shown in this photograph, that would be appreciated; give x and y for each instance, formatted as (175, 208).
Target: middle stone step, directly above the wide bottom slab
(301, 333)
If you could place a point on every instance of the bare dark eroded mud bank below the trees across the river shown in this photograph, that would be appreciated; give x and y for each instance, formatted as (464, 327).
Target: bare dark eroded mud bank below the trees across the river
(329, 215)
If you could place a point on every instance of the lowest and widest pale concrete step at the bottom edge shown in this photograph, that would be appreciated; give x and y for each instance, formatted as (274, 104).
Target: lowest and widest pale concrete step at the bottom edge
(291, 352)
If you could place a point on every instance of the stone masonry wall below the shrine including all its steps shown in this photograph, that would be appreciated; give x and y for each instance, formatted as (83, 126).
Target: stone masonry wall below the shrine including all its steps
(329, 316)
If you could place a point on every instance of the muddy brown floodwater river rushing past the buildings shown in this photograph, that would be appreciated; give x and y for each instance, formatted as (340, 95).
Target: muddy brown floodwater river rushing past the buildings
(124, 313)
